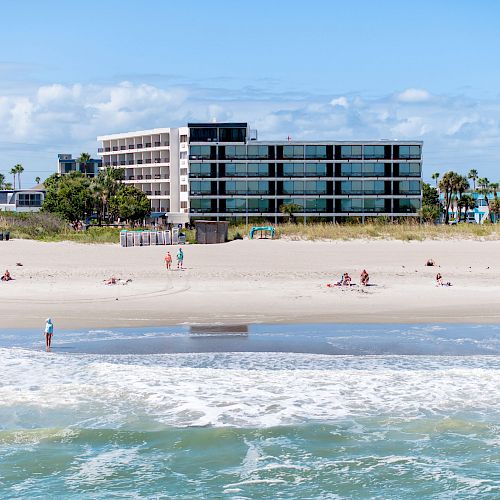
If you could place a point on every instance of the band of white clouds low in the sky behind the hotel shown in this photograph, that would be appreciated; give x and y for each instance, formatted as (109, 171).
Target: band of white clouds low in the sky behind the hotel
(458, 132)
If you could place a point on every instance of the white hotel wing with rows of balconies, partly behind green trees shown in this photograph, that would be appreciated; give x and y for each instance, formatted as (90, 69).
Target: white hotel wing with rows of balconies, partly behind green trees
(155, 161)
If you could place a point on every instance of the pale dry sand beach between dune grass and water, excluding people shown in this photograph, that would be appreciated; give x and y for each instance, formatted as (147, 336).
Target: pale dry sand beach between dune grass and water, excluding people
(249, 281)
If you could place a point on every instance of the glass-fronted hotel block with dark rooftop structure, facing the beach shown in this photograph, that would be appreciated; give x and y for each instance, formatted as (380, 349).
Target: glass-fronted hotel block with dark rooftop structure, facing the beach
(234, 176)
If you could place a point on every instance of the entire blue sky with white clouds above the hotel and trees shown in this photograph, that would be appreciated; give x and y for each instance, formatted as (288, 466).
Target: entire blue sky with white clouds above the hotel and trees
(316, 69)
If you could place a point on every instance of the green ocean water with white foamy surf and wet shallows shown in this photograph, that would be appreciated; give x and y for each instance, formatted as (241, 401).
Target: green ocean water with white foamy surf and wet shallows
(289, 411)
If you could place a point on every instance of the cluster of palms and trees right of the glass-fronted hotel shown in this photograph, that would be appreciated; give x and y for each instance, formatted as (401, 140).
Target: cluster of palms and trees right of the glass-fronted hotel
(458, 195)
